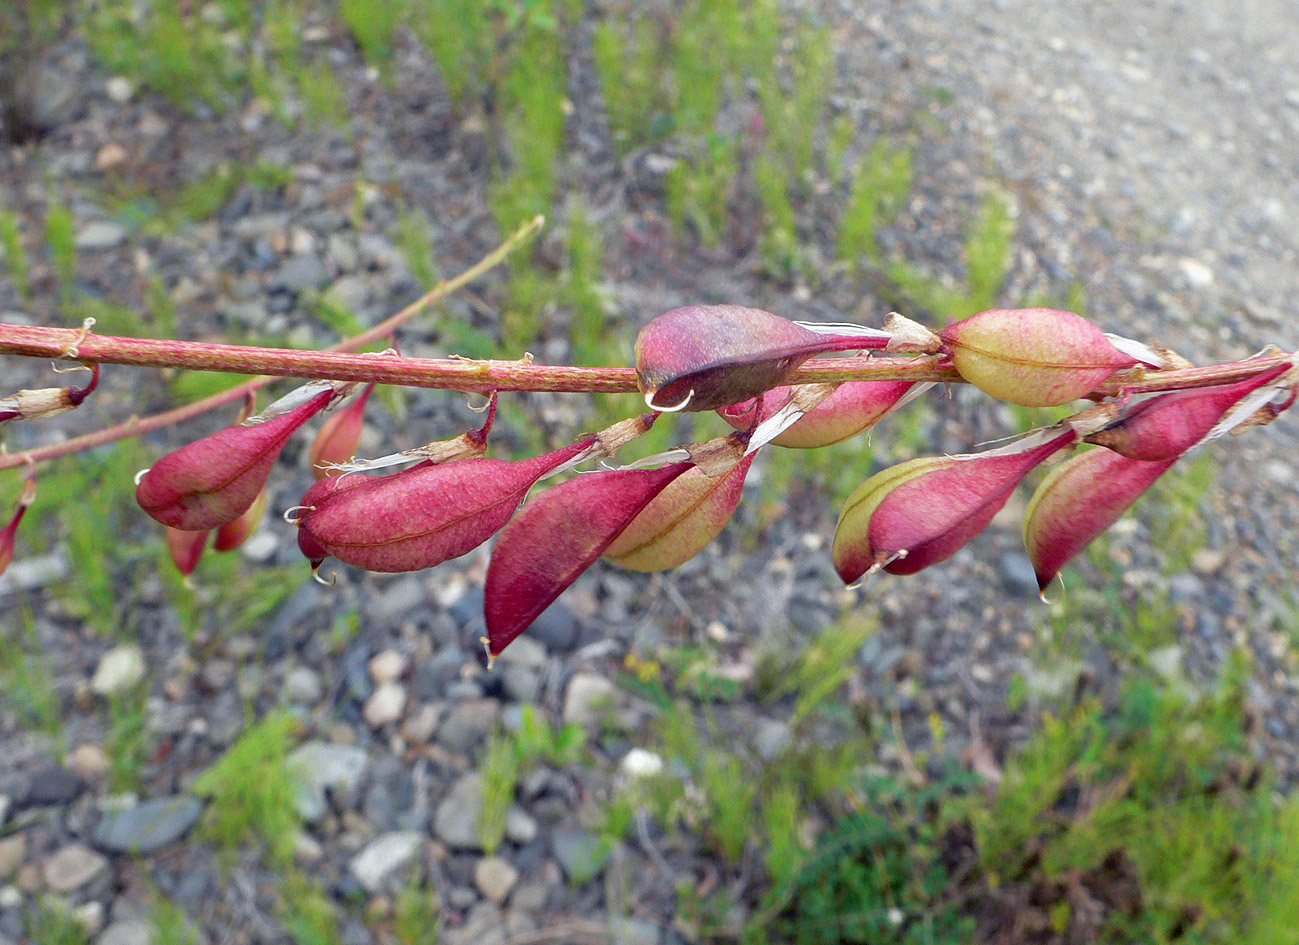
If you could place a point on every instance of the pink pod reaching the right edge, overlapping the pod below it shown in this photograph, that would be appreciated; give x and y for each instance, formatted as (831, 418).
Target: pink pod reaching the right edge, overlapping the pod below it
(1167, 426)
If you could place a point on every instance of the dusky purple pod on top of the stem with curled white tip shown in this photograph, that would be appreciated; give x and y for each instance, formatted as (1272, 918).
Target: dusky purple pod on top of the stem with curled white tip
(701, 358)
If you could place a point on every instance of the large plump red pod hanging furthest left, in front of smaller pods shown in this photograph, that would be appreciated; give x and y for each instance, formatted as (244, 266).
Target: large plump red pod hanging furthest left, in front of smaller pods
(215, 480)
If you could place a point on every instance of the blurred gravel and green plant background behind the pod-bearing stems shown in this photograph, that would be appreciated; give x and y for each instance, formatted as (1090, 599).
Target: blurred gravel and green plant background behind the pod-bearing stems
(738, 751)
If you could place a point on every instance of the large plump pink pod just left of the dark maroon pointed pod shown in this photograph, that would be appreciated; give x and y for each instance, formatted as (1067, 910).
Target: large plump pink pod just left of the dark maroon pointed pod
(422, 517)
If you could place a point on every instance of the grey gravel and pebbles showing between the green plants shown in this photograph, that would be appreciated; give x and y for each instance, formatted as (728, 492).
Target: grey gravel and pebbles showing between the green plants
(1146, 148)
